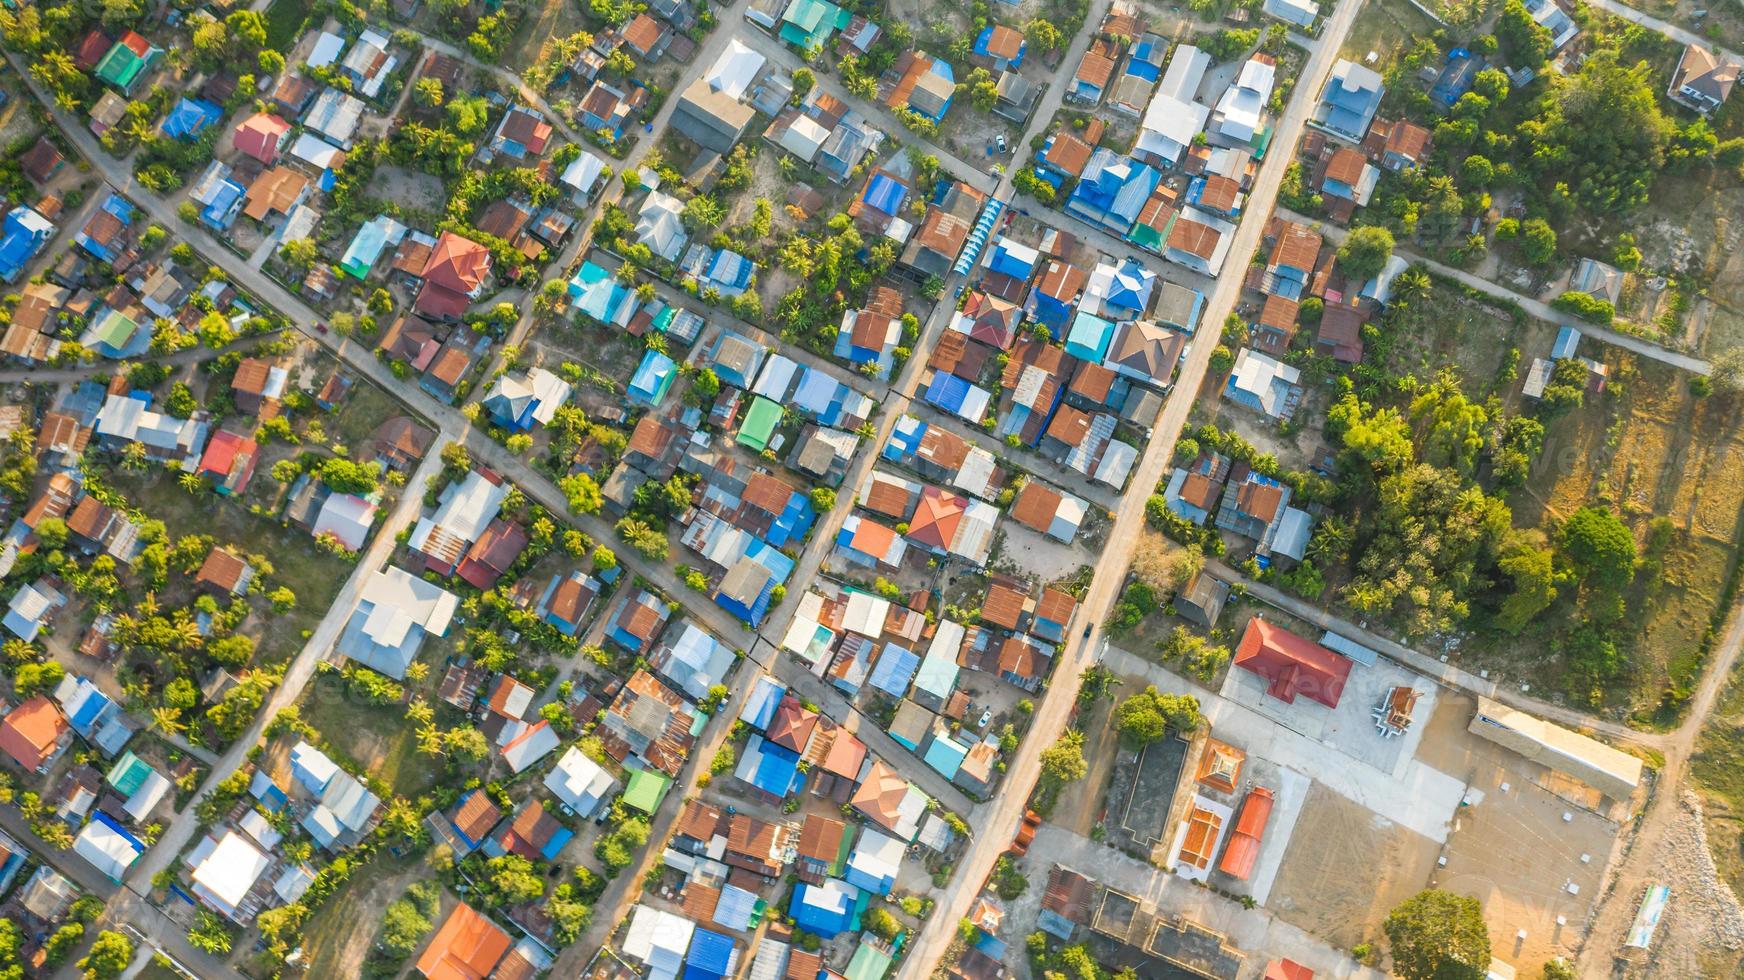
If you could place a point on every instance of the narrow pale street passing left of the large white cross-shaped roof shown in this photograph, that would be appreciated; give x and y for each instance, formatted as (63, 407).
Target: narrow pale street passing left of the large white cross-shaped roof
(186, 826)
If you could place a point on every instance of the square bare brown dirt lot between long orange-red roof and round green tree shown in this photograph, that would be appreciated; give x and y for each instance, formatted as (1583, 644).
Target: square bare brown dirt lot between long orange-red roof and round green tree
(1354, 871)
